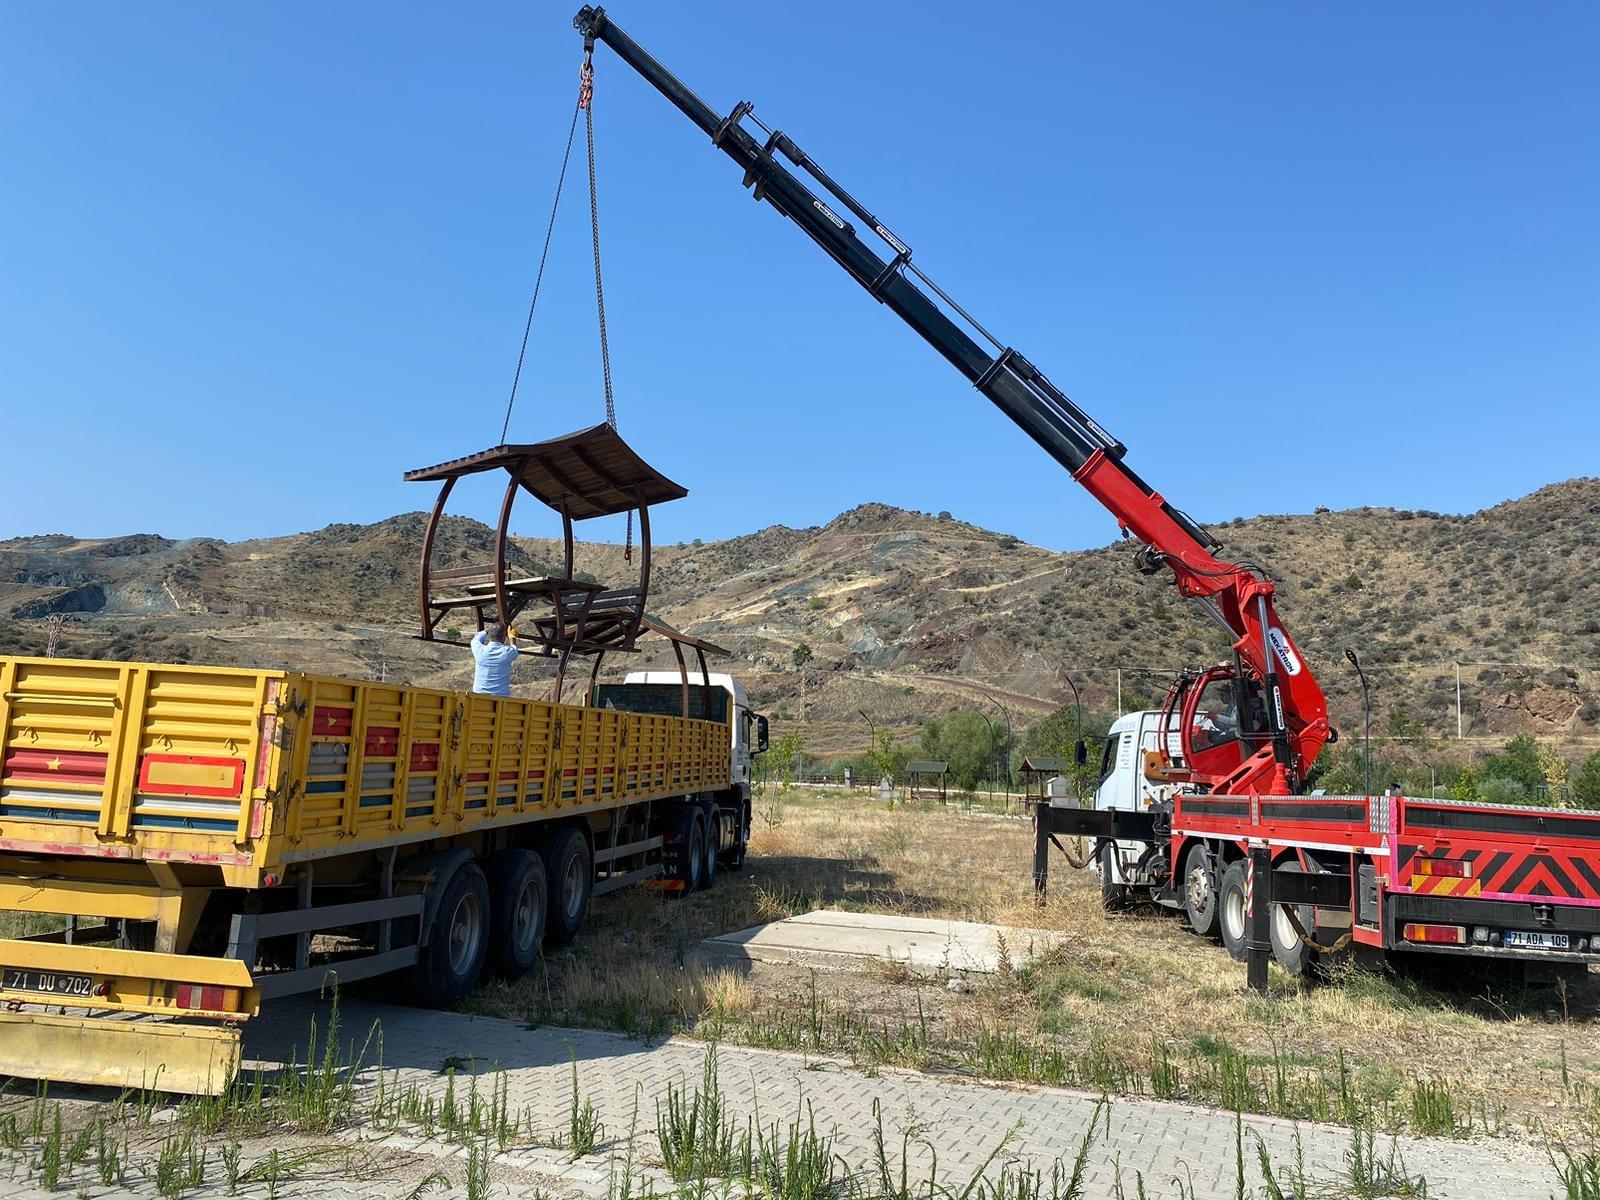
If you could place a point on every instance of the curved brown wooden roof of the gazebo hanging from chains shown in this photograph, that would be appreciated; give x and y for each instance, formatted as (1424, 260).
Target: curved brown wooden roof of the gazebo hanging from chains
(593, 473)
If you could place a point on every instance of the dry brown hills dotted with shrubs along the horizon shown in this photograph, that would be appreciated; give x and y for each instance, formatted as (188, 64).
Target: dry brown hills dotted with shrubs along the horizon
(905, 614)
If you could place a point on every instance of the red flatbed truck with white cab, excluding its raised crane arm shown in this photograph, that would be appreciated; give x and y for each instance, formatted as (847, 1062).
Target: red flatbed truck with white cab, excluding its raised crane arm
(1390, 873)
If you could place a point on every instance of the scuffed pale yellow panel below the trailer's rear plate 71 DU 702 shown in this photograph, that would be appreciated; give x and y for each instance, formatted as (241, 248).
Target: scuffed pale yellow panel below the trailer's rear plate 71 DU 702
(119, 1054)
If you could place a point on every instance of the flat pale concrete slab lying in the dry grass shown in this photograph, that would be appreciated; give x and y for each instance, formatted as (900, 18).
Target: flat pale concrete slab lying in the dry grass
(849, 940)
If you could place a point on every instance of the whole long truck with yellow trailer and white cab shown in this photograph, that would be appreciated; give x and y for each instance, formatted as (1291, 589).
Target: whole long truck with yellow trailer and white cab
(202, 839)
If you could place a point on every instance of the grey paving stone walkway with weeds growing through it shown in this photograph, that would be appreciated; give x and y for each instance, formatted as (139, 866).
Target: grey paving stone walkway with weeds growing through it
(1177, 1150)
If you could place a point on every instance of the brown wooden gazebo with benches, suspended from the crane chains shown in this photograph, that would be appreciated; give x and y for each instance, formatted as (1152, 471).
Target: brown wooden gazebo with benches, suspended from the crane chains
(588, 474)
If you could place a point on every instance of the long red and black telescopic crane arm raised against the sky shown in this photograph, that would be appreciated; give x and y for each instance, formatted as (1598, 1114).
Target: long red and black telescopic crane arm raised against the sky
(1294, 722)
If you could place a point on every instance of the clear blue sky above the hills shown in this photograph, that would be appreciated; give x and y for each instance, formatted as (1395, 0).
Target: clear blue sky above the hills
(257, 262)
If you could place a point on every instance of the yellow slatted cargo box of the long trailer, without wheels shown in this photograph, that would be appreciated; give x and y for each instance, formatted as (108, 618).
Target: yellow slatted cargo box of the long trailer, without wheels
(241, 774)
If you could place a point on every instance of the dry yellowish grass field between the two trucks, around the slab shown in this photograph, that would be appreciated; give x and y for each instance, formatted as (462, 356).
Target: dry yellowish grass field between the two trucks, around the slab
(1114, 1001)
